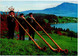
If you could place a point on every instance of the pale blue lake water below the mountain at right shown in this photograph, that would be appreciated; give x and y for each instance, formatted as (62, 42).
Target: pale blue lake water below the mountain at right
(71, 26)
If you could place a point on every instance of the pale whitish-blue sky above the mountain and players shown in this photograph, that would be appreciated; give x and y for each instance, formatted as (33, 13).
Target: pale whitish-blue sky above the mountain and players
(22, 5)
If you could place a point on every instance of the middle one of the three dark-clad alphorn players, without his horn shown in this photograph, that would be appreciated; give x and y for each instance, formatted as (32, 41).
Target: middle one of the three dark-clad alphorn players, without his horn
(23, 23)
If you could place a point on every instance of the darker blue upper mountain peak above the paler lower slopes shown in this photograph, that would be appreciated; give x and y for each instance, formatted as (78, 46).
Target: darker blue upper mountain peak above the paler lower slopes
(65, 7)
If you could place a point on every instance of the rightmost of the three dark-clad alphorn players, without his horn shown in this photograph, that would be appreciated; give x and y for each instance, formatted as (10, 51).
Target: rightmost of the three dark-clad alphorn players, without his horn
(31, 21)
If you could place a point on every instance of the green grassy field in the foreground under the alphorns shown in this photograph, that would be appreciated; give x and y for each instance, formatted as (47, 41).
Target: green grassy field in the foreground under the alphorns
(19, 47)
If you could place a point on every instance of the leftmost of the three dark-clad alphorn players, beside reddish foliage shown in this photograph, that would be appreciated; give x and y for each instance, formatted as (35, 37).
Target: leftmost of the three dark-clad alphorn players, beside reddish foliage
(11, 25)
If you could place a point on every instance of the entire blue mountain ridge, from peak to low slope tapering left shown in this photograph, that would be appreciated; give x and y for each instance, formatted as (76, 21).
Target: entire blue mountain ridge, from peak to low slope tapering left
(64, 9)
